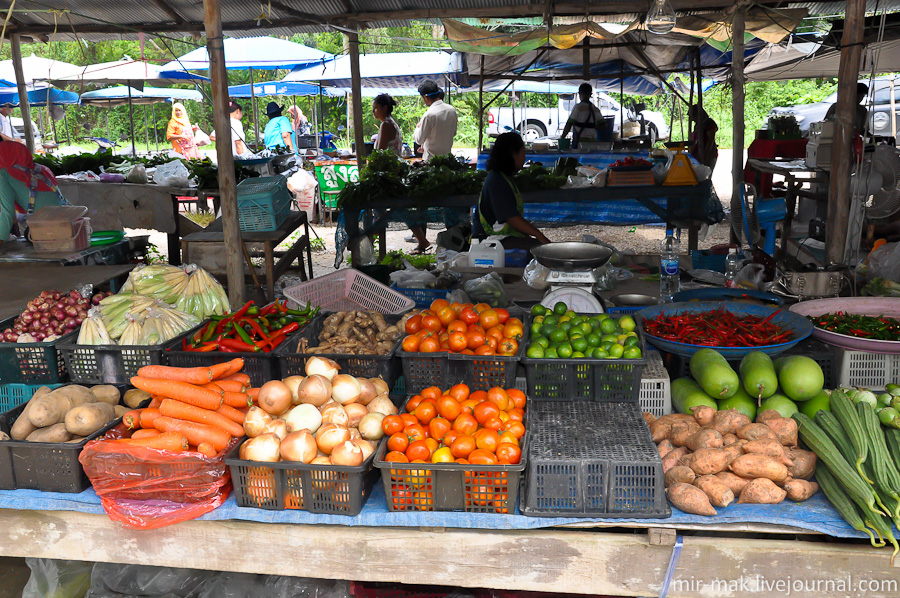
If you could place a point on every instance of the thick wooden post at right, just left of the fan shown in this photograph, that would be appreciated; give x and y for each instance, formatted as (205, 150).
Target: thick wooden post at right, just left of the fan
(844, 118)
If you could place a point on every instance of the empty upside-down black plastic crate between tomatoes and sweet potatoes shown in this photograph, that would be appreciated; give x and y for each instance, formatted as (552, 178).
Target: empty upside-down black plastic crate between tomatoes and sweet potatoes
(594, 459)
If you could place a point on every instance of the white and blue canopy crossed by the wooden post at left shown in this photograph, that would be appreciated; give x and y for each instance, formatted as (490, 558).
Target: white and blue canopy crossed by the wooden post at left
(256, 53)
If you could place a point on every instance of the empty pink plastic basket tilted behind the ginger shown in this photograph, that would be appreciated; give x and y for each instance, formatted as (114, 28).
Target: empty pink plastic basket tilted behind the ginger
(346, 290)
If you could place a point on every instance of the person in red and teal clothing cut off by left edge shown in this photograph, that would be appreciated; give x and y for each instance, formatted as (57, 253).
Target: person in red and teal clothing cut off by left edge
(22, 183)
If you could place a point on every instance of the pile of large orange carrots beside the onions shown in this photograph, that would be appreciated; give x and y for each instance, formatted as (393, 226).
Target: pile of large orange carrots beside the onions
(200, 408)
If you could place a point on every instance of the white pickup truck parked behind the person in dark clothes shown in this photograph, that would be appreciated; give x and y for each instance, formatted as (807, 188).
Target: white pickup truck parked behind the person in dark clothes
(549, 122)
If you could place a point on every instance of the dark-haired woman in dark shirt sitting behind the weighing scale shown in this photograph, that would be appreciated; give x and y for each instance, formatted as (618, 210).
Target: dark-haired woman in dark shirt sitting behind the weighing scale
(500, 209)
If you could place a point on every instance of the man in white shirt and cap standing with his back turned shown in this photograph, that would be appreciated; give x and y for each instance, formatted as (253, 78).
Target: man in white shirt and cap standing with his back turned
(435, 133)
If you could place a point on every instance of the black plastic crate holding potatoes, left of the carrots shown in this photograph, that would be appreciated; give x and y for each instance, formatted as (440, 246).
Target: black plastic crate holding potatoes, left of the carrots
(44, 466)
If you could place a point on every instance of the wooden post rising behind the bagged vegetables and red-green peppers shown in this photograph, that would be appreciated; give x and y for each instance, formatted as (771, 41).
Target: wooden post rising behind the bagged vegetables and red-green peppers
(215, 44)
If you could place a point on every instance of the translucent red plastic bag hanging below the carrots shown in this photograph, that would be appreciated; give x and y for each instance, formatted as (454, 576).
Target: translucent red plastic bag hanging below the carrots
(147, 488)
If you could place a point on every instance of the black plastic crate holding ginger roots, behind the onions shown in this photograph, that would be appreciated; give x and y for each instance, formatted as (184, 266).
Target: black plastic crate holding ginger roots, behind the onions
(292, 362)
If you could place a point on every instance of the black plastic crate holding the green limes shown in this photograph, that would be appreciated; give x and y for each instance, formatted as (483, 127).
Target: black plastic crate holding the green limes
(582, 379)
